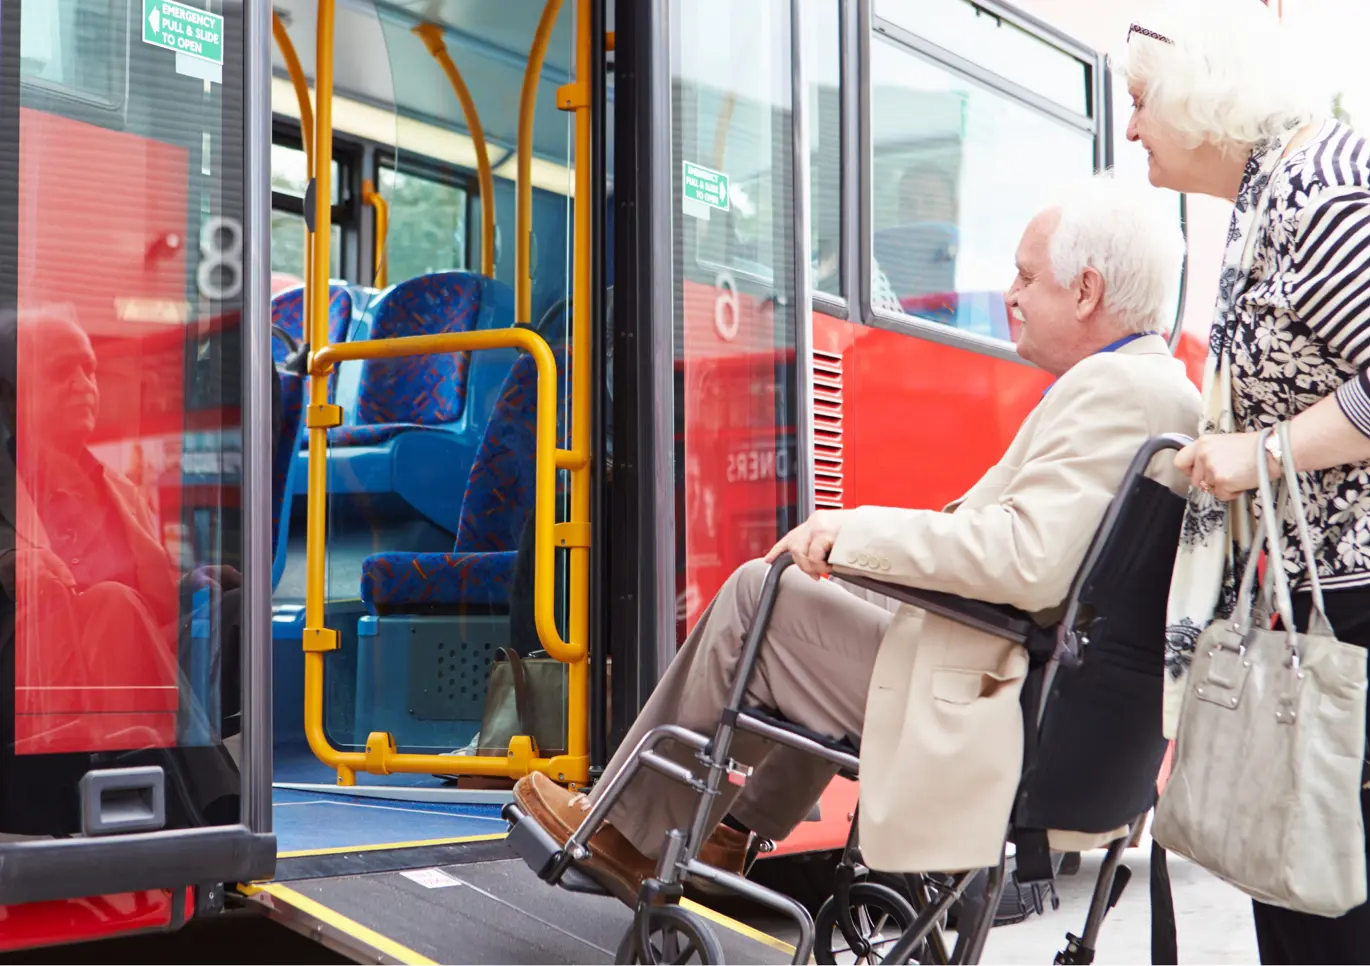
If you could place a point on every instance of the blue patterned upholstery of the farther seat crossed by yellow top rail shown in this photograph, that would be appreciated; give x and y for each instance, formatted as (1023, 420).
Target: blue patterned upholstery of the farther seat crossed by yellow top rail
(420, 391)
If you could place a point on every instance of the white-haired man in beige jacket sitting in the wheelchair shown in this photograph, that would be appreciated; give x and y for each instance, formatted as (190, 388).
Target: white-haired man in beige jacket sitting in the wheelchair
(936, 704)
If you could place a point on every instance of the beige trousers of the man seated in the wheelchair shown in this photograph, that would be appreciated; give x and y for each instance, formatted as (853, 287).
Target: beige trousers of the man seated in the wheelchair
(814, 668)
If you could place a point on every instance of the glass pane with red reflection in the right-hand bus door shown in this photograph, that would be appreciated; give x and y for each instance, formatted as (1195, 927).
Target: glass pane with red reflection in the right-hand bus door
(735, 293)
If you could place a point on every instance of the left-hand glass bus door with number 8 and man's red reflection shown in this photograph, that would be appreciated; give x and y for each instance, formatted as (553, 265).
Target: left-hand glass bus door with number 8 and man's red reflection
(132, 617)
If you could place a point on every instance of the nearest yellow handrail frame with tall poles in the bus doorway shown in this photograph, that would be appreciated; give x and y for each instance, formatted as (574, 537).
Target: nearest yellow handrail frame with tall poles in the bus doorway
(382, 756)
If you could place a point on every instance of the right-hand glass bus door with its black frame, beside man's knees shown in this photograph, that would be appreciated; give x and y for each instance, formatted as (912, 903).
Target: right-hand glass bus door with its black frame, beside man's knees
(721, 198)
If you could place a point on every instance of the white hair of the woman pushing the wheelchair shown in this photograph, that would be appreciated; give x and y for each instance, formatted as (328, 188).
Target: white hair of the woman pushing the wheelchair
(1228, 76)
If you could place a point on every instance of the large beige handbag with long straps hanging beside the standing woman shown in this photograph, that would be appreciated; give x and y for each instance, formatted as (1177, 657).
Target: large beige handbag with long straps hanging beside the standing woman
(1267, 784)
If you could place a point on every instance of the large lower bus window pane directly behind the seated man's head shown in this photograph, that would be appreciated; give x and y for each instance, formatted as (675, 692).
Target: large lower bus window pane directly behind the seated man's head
(957, 171)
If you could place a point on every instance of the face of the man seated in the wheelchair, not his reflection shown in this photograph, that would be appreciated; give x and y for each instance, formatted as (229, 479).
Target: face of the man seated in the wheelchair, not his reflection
(1046, 309)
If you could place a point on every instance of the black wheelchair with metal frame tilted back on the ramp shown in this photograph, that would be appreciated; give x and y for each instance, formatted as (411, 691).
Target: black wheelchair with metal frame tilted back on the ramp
(1094, 749)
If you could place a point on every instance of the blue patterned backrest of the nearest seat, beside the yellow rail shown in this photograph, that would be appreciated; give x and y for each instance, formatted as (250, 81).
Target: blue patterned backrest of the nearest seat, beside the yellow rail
(501, 487)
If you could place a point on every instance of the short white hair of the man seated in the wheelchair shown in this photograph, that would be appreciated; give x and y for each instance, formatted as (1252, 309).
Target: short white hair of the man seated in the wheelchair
(1131, 236)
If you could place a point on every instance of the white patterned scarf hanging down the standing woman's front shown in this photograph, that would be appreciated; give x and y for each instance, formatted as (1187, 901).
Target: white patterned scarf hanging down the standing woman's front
(1217, 535)
